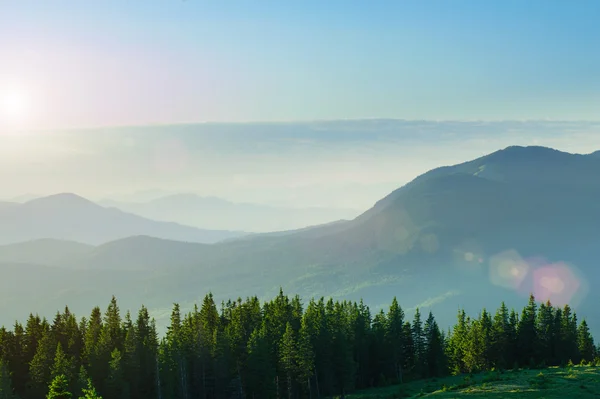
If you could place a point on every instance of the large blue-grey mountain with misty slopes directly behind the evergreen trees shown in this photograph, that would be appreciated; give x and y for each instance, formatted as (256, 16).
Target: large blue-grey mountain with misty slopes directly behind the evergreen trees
(468, 235)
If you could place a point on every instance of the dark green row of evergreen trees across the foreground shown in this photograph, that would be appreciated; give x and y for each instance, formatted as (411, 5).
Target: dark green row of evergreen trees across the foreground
(277, 349)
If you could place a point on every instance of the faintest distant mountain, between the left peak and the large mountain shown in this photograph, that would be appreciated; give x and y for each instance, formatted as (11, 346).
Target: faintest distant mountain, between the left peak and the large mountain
(217, 213)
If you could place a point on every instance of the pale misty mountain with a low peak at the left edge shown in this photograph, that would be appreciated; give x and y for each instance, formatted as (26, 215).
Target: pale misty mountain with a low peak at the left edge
(73, 218)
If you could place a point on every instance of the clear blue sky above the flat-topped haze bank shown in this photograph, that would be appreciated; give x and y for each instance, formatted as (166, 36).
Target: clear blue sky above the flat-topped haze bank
(114, 62)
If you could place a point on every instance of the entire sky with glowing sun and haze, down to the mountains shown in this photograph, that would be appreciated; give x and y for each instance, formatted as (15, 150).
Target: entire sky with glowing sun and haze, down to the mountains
(109, 98)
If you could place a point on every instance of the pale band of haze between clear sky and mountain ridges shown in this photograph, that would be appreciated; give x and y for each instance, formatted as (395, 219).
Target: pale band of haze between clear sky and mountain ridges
(348, 164)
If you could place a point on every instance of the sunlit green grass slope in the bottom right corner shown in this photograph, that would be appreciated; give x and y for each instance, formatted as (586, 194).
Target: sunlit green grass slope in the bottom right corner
(551, 383)
